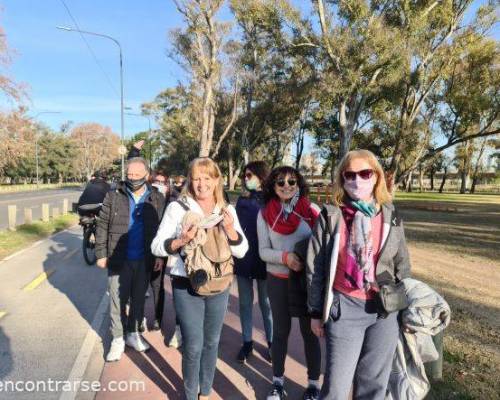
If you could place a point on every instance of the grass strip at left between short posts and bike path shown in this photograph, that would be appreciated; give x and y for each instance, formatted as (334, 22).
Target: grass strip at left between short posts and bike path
(10, 242)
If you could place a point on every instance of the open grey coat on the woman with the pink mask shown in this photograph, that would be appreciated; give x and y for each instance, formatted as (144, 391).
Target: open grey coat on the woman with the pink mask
(322, 255)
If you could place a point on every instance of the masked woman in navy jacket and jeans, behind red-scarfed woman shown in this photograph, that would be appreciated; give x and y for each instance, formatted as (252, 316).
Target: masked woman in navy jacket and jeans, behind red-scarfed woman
(251, 268)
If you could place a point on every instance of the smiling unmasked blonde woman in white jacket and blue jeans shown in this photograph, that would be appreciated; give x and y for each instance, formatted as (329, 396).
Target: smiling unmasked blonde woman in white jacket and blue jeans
(201, 316)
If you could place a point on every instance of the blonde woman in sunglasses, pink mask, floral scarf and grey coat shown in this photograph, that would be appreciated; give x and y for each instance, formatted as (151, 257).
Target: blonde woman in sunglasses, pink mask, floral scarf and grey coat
(358, 246)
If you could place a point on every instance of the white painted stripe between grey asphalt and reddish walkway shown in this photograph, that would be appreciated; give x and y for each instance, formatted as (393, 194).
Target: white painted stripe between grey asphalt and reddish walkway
(80, 365)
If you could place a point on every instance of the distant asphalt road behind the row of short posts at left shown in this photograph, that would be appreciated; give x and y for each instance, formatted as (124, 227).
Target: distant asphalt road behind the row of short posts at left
(34, 200)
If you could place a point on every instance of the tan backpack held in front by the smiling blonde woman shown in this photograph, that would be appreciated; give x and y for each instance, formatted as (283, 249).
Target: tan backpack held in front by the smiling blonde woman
(208, 262)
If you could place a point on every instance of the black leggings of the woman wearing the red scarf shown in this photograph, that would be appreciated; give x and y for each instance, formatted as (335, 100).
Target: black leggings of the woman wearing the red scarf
(282, 322)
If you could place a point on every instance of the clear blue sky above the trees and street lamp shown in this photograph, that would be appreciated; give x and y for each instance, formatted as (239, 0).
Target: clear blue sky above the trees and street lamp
(61, 73)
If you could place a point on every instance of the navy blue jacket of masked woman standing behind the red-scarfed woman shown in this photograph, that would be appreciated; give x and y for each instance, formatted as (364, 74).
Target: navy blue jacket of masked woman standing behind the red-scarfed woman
(247, 208)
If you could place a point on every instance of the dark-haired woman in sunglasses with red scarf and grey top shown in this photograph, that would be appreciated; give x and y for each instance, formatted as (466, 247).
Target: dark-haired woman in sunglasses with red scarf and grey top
(285, 222)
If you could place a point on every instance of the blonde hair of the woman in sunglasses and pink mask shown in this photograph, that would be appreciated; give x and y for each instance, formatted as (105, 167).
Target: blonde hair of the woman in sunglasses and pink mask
(380, 192)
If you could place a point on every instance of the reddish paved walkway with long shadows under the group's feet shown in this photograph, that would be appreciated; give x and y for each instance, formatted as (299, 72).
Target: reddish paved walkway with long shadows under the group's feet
(160, 367)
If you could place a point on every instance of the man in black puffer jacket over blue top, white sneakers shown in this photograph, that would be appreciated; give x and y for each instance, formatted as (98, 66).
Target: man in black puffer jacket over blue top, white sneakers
(126, 226)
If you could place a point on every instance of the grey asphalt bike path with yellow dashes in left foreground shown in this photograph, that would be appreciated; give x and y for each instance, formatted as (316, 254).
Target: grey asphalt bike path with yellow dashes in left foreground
(50, 331)
